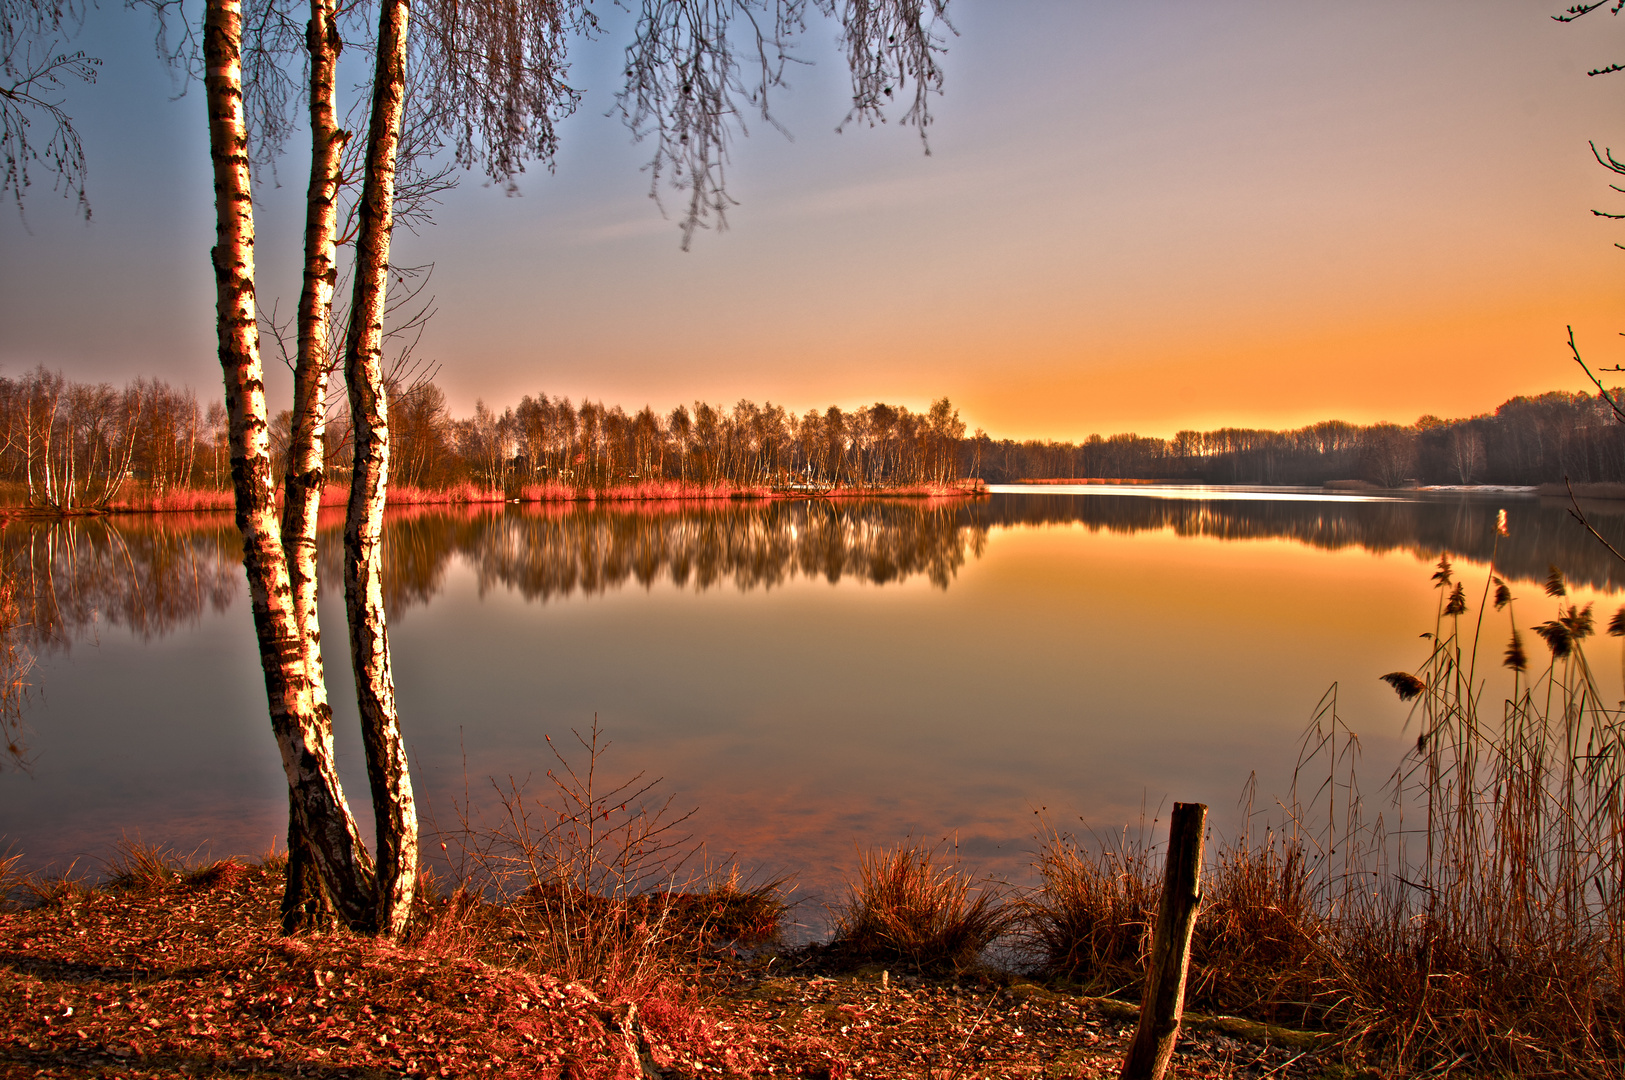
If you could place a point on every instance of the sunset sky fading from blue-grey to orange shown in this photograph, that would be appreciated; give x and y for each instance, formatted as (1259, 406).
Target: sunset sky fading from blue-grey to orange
(1135, 217)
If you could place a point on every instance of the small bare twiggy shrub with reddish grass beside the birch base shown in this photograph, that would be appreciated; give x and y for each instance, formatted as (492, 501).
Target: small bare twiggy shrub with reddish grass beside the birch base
(589, 883)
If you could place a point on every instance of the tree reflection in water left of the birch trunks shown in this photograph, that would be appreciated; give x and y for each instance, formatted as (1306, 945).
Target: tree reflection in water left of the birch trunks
(145, 574)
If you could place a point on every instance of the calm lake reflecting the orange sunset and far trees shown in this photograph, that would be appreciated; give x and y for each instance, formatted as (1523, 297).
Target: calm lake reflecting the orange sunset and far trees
(812, 678)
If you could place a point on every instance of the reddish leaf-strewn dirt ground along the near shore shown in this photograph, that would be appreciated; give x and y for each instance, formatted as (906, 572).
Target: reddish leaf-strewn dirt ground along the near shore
(194, 980)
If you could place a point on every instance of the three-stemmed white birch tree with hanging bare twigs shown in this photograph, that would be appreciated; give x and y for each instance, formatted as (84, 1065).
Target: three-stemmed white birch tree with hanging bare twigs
(496, 89)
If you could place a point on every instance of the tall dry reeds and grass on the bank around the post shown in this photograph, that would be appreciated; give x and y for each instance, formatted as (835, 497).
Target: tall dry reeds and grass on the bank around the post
(1473, 927)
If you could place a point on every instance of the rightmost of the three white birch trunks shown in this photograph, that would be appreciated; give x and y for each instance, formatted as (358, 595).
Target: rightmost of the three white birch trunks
(370, 644)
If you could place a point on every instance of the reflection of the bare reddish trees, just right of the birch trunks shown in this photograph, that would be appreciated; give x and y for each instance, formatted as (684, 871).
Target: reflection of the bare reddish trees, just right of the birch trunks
(547, 553)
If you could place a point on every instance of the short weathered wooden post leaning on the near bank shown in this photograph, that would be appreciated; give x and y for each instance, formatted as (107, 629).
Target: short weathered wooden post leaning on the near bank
(1171, 948)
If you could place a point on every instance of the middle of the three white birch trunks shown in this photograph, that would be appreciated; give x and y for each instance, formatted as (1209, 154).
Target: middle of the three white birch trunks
(305, 899)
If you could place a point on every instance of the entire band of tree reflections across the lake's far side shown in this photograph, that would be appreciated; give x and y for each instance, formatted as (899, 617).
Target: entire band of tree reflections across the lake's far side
(154, 574)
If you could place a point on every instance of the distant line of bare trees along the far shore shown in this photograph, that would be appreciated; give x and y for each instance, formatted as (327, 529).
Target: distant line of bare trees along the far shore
(74, 446)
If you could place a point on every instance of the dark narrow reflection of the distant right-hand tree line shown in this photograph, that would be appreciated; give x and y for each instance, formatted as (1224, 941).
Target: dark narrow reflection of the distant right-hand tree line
(1465, 527)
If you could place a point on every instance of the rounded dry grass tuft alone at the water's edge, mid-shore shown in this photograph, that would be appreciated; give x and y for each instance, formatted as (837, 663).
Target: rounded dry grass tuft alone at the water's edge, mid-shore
(906, 905)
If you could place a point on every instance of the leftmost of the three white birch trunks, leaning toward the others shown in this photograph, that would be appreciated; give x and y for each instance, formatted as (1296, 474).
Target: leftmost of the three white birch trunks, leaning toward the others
(301, 724)
